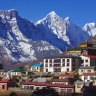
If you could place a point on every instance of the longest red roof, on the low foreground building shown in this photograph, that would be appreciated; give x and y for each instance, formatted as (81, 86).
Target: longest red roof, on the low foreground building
(47, 84)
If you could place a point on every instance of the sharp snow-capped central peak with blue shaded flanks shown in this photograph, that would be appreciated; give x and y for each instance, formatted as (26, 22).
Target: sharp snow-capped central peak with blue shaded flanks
(63, 29)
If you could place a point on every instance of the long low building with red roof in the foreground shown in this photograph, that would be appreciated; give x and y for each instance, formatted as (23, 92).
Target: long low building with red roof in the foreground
(61, 88)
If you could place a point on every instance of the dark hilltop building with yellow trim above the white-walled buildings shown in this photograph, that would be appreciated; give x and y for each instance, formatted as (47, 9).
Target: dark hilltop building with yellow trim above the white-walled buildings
(84, 49)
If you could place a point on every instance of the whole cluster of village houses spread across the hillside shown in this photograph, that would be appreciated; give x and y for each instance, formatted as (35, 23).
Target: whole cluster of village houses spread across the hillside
(76, 62)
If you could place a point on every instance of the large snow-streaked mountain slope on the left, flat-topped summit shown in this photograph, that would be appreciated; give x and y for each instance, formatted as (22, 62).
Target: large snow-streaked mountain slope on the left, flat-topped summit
(21, 40)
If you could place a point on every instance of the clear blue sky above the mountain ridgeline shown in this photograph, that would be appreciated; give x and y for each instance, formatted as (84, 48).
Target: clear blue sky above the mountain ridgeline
(79, 11)
